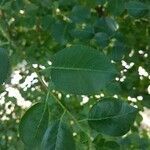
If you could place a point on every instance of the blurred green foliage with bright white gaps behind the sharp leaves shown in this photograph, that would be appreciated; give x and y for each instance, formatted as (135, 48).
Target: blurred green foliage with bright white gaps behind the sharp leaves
(33, 30)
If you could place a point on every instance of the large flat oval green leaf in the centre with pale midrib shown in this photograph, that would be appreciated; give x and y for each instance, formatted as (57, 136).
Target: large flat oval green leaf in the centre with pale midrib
(81, 70)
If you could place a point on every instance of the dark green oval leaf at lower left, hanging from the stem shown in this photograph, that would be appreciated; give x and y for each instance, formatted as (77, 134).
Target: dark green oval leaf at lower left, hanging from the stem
(33, 125)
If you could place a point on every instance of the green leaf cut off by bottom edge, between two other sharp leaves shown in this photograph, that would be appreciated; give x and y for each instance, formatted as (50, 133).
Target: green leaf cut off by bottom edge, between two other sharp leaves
(58, 137)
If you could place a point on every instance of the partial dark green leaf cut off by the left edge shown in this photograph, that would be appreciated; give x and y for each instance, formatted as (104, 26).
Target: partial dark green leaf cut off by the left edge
(4, 65)
